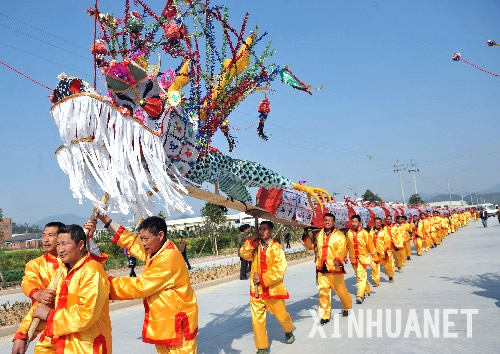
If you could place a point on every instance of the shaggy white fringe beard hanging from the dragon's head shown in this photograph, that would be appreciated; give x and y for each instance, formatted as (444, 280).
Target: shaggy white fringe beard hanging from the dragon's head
(124, 159)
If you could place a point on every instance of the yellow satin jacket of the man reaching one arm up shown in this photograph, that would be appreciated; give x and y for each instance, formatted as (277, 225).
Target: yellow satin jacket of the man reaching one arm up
(169, 300)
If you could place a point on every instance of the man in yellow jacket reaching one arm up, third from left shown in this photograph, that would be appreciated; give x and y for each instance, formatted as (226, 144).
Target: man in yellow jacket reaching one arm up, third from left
(171, 319)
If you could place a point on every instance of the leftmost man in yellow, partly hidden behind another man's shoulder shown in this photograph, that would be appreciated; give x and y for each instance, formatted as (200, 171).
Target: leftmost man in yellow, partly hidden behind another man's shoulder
(40, 271)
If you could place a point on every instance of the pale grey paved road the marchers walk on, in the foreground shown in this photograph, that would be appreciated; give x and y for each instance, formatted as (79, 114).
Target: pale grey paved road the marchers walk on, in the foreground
(463, 273)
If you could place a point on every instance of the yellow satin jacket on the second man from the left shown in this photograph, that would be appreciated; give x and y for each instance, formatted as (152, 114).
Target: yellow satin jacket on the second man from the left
(80, 322)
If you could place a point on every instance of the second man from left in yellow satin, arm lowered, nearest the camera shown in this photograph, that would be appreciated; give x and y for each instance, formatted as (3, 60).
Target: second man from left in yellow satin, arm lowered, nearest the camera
(80, 321)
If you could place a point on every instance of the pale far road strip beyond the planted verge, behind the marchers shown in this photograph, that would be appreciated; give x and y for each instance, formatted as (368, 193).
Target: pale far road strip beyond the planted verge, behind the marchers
(206, 262)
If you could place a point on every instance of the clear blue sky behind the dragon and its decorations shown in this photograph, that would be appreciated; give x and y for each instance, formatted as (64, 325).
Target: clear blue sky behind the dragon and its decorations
(391, 92)
